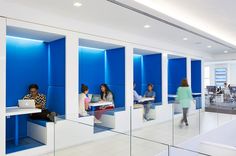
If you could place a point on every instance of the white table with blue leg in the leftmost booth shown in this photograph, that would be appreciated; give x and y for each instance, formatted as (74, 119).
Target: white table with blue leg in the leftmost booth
(16, 111)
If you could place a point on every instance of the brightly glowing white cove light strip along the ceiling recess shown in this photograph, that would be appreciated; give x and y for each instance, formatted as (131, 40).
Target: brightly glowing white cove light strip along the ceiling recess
(164, 7)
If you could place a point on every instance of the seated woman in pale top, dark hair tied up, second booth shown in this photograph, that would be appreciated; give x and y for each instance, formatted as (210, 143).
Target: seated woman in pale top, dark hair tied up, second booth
(83, 101)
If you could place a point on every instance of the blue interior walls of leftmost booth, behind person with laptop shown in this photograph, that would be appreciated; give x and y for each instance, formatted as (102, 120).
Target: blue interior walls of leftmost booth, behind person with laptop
(30, 61)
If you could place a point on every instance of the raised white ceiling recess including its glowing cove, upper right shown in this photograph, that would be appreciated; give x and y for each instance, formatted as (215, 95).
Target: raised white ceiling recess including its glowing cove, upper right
(215, 17)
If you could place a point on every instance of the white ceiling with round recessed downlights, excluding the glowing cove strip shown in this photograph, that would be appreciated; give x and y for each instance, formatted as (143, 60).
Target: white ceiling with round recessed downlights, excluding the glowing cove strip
(101, 12)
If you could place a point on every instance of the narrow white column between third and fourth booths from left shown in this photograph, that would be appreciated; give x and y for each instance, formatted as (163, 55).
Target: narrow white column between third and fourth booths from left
(164, 78)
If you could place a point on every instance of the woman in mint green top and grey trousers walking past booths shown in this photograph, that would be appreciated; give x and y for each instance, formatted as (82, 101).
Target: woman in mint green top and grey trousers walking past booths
(184, 97)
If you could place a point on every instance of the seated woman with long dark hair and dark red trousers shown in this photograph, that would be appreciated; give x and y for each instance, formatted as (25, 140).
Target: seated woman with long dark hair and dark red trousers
(106, 96)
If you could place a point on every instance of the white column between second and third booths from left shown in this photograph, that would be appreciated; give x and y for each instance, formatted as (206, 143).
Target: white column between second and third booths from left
(129, 77)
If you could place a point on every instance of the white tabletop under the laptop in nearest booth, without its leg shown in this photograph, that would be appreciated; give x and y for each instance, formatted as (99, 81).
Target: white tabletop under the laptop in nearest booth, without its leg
(12, 111)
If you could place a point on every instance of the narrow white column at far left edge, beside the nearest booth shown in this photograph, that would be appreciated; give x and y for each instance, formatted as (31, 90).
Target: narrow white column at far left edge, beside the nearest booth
(2, 86)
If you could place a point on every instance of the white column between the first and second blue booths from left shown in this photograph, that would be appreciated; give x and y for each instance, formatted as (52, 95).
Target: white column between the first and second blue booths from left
(72, 68)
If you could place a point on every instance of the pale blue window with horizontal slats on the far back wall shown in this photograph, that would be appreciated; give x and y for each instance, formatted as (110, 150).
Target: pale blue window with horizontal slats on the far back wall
(220, 76)
